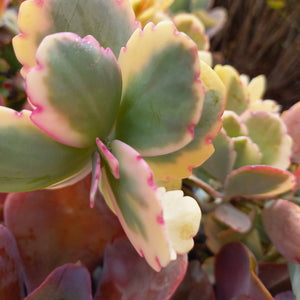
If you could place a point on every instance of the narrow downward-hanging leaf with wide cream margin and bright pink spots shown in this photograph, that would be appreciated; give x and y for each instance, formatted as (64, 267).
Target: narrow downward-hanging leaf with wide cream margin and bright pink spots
(136, 201)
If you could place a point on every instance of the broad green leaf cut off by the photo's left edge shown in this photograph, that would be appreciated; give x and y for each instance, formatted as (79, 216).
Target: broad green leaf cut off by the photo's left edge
(30, 159)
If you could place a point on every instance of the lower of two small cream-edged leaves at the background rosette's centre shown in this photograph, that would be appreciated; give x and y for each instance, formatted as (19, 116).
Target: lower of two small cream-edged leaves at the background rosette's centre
(247, 152)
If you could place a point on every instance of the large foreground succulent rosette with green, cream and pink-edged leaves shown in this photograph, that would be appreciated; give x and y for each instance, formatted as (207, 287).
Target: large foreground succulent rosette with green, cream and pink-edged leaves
(122, 113)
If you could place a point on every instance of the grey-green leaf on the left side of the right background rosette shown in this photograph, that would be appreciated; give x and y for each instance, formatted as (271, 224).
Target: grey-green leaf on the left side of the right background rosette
(221, 163)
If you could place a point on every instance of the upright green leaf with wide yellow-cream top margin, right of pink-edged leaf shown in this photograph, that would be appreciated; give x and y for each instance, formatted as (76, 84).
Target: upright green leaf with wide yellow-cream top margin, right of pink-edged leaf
(162, 93)
